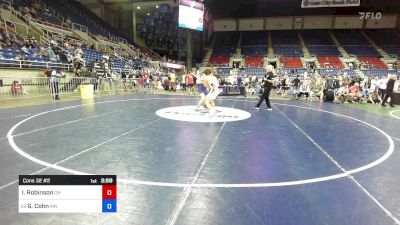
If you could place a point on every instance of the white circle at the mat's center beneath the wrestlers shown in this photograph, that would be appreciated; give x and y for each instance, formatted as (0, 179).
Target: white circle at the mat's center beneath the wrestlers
(193, 114)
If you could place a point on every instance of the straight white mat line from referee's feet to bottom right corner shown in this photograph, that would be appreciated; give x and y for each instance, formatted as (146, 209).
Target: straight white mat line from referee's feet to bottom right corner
(336, 163)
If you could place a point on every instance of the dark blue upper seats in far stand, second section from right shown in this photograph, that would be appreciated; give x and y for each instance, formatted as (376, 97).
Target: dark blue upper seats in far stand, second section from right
(355, 43)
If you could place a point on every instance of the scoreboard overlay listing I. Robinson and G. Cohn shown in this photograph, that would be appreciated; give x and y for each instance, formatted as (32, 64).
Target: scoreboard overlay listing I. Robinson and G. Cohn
(67, 193)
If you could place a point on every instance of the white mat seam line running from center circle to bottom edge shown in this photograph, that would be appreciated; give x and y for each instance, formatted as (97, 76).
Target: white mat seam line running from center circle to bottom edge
(188, 190)
